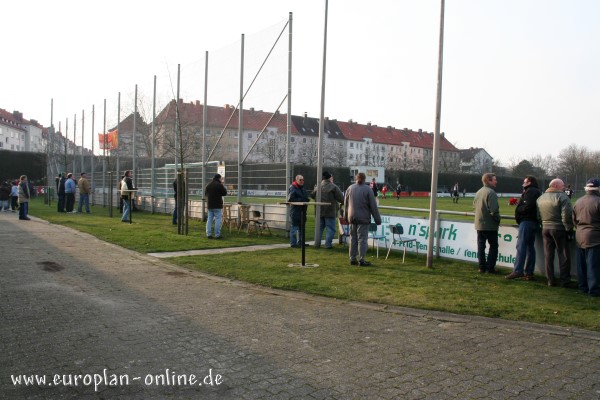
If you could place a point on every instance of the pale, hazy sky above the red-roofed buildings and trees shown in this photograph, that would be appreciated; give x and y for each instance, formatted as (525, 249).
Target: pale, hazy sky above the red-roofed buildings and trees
(520, 77)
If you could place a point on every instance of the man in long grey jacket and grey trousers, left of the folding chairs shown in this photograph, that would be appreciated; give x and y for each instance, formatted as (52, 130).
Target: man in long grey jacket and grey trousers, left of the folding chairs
(359, 206)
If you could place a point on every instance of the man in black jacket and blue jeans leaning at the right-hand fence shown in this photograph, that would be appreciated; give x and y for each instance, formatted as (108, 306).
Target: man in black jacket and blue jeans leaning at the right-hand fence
(526, 215)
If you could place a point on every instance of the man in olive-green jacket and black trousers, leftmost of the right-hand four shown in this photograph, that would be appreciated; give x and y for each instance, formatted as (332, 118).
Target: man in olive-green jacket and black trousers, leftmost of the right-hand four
(487, 221)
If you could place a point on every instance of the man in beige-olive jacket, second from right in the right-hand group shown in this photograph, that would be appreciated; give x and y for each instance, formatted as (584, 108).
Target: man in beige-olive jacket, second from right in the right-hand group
(555, 213)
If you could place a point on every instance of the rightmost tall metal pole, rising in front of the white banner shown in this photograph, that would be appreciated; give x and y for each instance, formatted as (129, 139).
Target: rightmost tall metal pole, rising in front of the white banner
(436, 143)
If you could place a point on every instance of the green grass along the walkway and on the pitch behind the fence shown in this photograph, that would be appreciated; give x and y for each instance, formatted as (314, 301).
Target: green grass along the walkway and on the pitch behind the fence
(451, 286)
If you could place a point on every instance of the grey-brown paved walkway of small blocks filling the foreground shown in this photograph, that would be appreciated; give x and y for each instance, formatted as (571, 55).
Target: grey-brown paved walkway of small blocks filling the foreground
(112, 323)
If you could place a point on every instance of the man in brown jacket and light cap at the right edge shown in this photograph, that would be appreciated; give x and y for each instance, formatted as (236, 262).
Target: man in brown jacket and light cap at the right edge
(586, 218)
